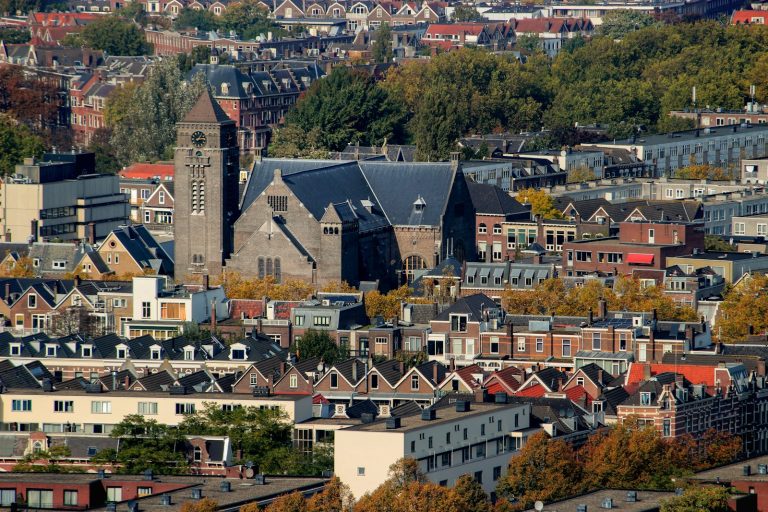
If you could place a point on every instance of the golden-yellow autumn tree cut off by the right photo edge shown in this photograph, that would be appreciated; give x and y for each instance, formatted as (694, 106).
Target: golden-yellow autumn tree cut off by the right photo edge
(744, 307)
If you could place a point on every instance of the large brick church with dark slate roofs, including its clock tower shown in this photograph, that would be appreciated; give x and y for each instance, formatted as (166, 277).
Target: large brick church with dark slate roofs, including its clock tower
(315, 220)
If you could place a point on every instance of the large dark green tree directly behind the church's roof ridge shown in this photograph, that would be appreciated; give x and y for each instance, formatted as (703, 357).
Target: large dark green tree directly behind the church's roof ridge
(348, 106)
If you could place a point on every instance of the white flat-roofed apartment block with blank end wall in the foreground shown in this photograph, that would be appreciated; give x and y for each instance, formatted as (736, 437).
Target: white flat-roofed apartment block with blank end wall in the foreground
(476, 439)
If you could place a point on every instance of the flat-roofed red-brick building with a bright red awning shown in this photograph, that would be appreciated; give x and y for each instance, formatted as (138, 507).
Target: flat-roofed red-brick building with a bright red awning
(639, 245)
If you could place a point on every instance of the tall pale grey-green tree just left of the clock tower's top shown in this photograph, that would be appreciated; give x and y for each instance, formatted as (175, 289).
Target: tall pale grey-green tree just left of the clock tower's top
(146, 128)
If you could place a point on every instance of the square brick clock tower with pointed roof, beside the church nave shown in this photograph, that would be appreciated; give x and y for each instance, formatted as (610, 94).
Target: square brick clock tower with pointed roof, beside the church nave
(206, 189)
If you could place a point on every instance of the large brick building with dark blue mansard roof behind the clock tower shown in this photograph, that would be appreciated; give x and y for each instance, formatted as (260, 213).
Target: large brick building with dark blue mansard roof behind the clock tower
(257, 100)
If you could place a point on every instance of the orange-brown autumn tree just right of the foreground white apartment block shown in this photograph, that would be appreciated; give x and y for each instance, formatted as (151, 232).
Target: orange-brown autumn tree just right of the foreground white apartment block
(544, 469)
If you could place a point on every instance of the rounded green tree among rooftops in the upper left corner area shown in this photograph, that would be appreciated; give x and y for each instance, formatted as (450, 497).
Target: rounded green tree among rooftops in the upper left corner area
(113, 35)
